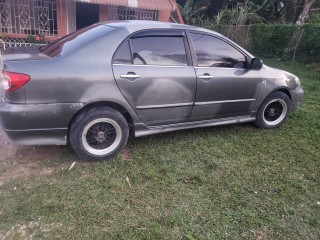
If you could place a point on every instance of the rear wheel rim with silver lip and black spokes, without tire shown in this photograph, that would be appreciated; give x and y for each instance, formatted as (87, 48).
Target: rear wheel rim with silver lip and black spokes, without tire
(101, 136)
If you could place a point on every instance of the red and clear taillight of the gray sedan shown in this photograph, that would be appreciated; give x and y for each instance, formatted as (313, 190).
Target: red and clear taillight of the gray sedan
(13, 81)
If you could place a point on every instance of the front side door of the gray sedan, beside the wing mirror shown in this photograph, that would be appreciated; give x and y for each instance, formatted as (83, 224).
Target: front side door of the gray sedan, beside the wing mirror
(226, 87)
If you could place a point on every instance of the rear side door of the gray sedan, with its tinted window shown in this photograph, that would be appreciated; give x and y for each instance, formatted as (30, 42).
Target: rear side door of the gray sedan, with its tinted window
(154, 73)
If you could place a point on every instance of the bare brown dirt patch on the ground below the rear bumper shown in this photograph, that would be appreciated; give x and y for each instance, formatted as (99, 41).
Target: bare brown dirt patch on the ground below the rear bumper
(23, 161)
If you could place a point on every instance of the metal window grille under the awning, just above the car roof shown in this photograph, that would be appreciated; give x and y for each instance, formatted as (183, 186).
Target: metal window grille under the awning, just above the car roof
(127, 13)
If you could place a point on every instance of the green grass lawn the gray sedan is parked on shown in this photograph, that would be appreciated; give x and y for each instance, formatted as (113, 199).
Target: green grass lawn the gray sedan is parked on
(230, 182)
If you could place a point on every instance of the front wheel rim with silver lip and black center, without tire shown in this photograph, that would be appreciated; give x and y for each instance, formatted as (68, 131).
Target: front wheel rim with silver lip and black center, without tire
(275, 112)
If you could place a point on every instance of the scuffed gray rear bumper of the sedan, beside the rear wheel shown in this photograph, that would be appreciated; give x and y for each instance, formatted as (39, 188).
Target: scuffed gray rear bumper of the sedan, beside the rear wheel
(37, 124)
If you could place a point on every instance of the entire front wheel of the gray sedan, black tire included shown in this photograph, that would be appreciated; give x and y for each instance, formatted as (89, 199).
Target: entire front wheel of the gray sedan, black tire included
(273, 111)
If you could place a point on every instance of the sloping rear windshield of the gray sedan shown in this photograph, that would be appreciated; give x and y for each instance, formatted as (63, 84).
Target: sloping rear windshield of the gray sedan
(74, 40)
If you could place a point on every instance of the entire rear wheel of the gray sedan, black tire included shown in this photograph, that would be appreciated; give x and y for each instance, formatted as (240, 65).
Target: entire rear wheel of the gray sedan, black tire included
(99, 133)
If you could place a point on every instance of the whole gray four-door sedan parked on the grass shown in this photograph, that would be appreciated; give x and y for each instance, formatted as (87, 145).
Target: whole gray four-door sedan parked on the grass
(95, 86)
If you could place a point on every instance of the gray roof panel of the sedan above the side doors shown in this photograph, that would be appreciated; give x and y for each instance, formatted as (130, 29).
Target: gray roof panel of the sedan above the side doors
(135, 25)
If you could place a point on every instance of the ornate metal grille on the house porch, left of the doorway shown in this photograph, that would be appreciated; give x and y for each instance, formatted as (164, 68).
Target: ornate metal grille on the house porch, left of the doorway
(35, 17)
